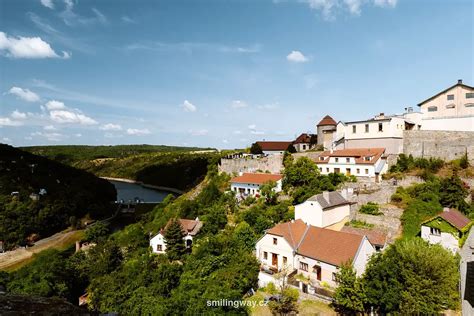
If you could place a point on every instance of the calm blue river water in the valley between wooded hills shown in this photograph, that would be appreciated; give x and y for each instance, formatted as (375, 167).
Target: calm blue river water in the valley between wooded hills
(131, 191)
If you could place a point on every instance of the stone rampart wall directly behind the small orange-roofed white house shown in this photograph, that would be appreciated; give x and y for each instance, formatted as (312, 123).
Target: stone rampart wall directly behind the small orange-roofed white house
(271, 163)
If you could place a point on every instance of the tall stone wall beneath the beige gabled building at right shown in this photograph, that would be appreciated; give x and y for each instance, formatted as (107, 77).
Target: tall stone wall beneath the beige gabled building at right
(448, 145)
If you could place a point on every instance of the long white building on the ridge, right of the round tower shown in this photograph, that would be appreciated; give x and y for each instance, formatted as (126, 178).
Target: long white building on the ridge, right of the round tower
(380, 131)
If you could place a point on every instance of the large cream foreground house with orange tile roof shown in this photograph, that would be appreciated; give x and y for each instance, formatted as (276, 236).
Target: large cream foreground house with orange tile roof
(312, 253)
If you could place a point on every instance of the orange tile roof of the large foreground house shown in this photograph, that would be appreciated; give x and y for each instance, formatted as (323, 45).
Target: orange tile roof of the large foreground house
(322, 244)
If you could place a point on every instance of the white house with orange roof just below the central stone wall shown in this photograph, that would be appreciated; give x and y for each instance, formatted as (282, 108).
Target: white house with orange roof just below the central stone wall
(249, 184)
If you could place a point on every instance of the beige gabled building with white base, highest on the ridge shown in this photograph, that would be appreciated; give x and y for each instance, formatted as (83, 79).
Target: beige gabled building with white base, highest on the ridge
(451, 109)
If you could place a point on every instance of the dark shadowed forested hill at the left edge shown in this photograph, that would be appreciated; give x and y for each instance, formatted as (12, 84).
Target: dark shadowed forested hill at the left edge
(39, 196)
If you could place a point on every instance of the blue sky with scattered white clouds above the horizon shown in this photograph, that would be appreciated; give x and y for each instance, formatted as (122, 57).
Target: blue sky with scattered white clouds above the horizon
(219, 73)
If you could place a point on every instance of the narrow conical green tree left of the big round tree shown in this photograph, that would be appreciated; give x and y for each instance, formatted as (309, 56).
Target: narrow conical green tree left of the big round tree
(349, 296)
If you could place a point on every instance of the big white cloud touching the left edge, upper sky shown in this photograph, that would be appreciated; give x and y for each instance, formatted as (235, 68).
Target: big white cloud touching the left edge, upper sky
(27, 47)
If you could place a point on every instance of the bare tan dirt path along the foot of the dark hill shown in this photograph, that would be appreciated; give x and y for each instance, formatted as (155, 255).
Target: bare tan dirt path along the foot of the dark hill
(15, 258)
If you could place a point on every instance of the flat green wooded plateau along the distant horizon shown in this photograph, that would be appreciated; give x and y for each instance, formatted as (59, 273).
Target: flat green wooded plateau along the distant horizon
(71, 153)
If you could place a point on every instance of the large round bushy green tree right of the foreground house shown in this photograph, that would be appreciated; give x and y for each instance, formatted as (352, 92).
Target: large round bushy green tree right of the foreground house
(412, 277)
